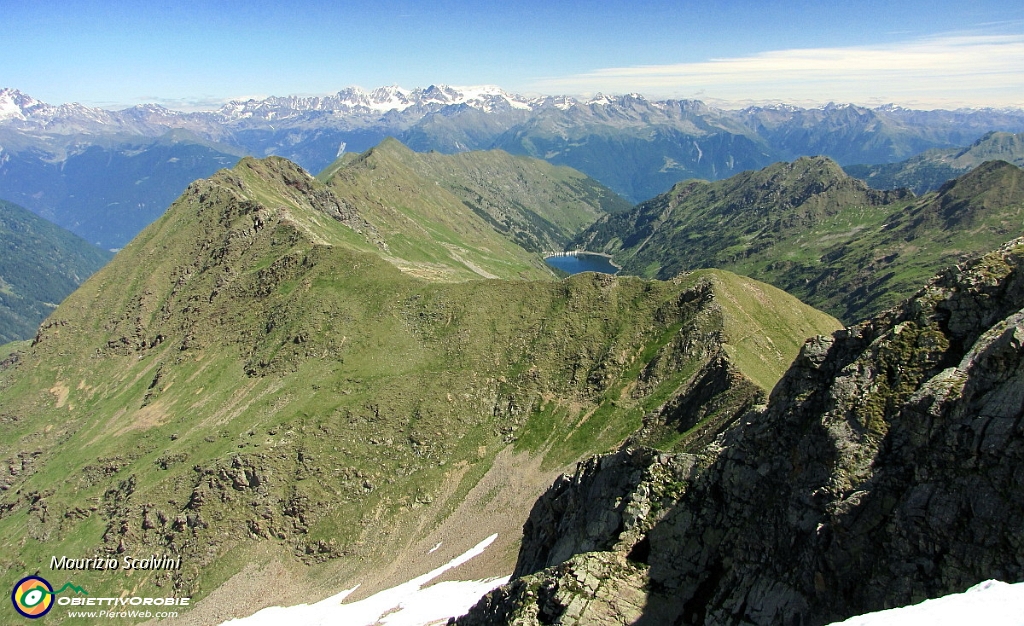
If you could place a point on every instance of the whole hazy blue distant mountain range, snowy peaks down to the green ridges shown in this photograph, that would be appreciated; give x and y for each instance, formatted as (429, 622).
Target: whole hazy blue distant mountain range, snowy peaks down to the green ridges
(637, 147)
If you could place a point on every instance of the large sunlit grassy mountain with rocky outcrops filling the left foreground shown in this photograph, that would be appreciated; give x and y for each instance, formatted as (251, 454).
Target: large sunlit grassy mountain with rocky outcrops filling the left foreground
(253, 382)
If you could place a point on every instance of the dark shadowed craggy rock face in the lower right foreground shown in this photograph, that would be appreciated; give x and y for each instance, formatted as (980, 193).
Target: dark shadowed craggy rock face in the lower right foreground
(887, 469)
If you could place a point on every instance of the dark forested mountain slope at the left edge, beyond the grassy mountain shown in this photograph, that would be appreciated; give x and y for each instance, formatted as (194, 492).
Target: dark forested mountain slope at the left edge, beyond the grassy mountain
(40, 265)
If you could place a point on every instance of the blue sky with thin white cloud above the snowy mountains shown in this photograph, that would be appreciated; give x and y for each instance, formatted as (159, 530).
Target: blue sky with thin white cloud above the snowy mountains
(198, 55)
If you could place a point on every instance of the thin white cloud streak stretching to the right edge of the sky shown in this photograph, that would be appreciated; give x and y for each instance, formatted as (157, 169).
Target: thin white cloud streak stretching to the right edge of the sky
(946, 71)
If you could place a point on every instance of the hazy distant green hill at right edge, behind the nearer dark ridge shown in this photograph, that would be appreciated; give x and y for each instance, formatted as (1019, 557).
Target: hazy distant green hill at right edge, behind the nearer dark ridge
(929, 171)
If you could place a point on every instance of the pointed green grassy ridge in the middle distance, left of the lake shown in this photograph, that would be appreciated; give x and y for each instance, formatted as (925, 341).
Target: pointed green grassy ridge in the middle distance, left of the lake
(483, 207)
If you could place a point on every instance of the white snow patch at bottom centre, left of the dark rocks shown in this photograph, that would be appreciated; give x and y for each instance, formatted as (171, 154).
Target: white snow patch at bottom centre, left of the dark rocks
(410, 604)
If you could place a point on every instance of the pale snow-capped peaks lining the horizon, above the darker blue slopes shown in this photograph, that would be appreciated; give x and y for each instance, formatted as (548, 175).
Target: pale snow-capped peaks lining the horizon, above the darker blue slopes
(395, 110)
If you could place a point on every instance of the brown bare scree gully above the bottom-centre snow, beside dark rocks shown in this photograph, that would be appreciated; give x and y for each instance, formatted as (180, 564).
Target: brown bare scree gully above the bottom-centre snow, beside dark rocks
(499, 504)
